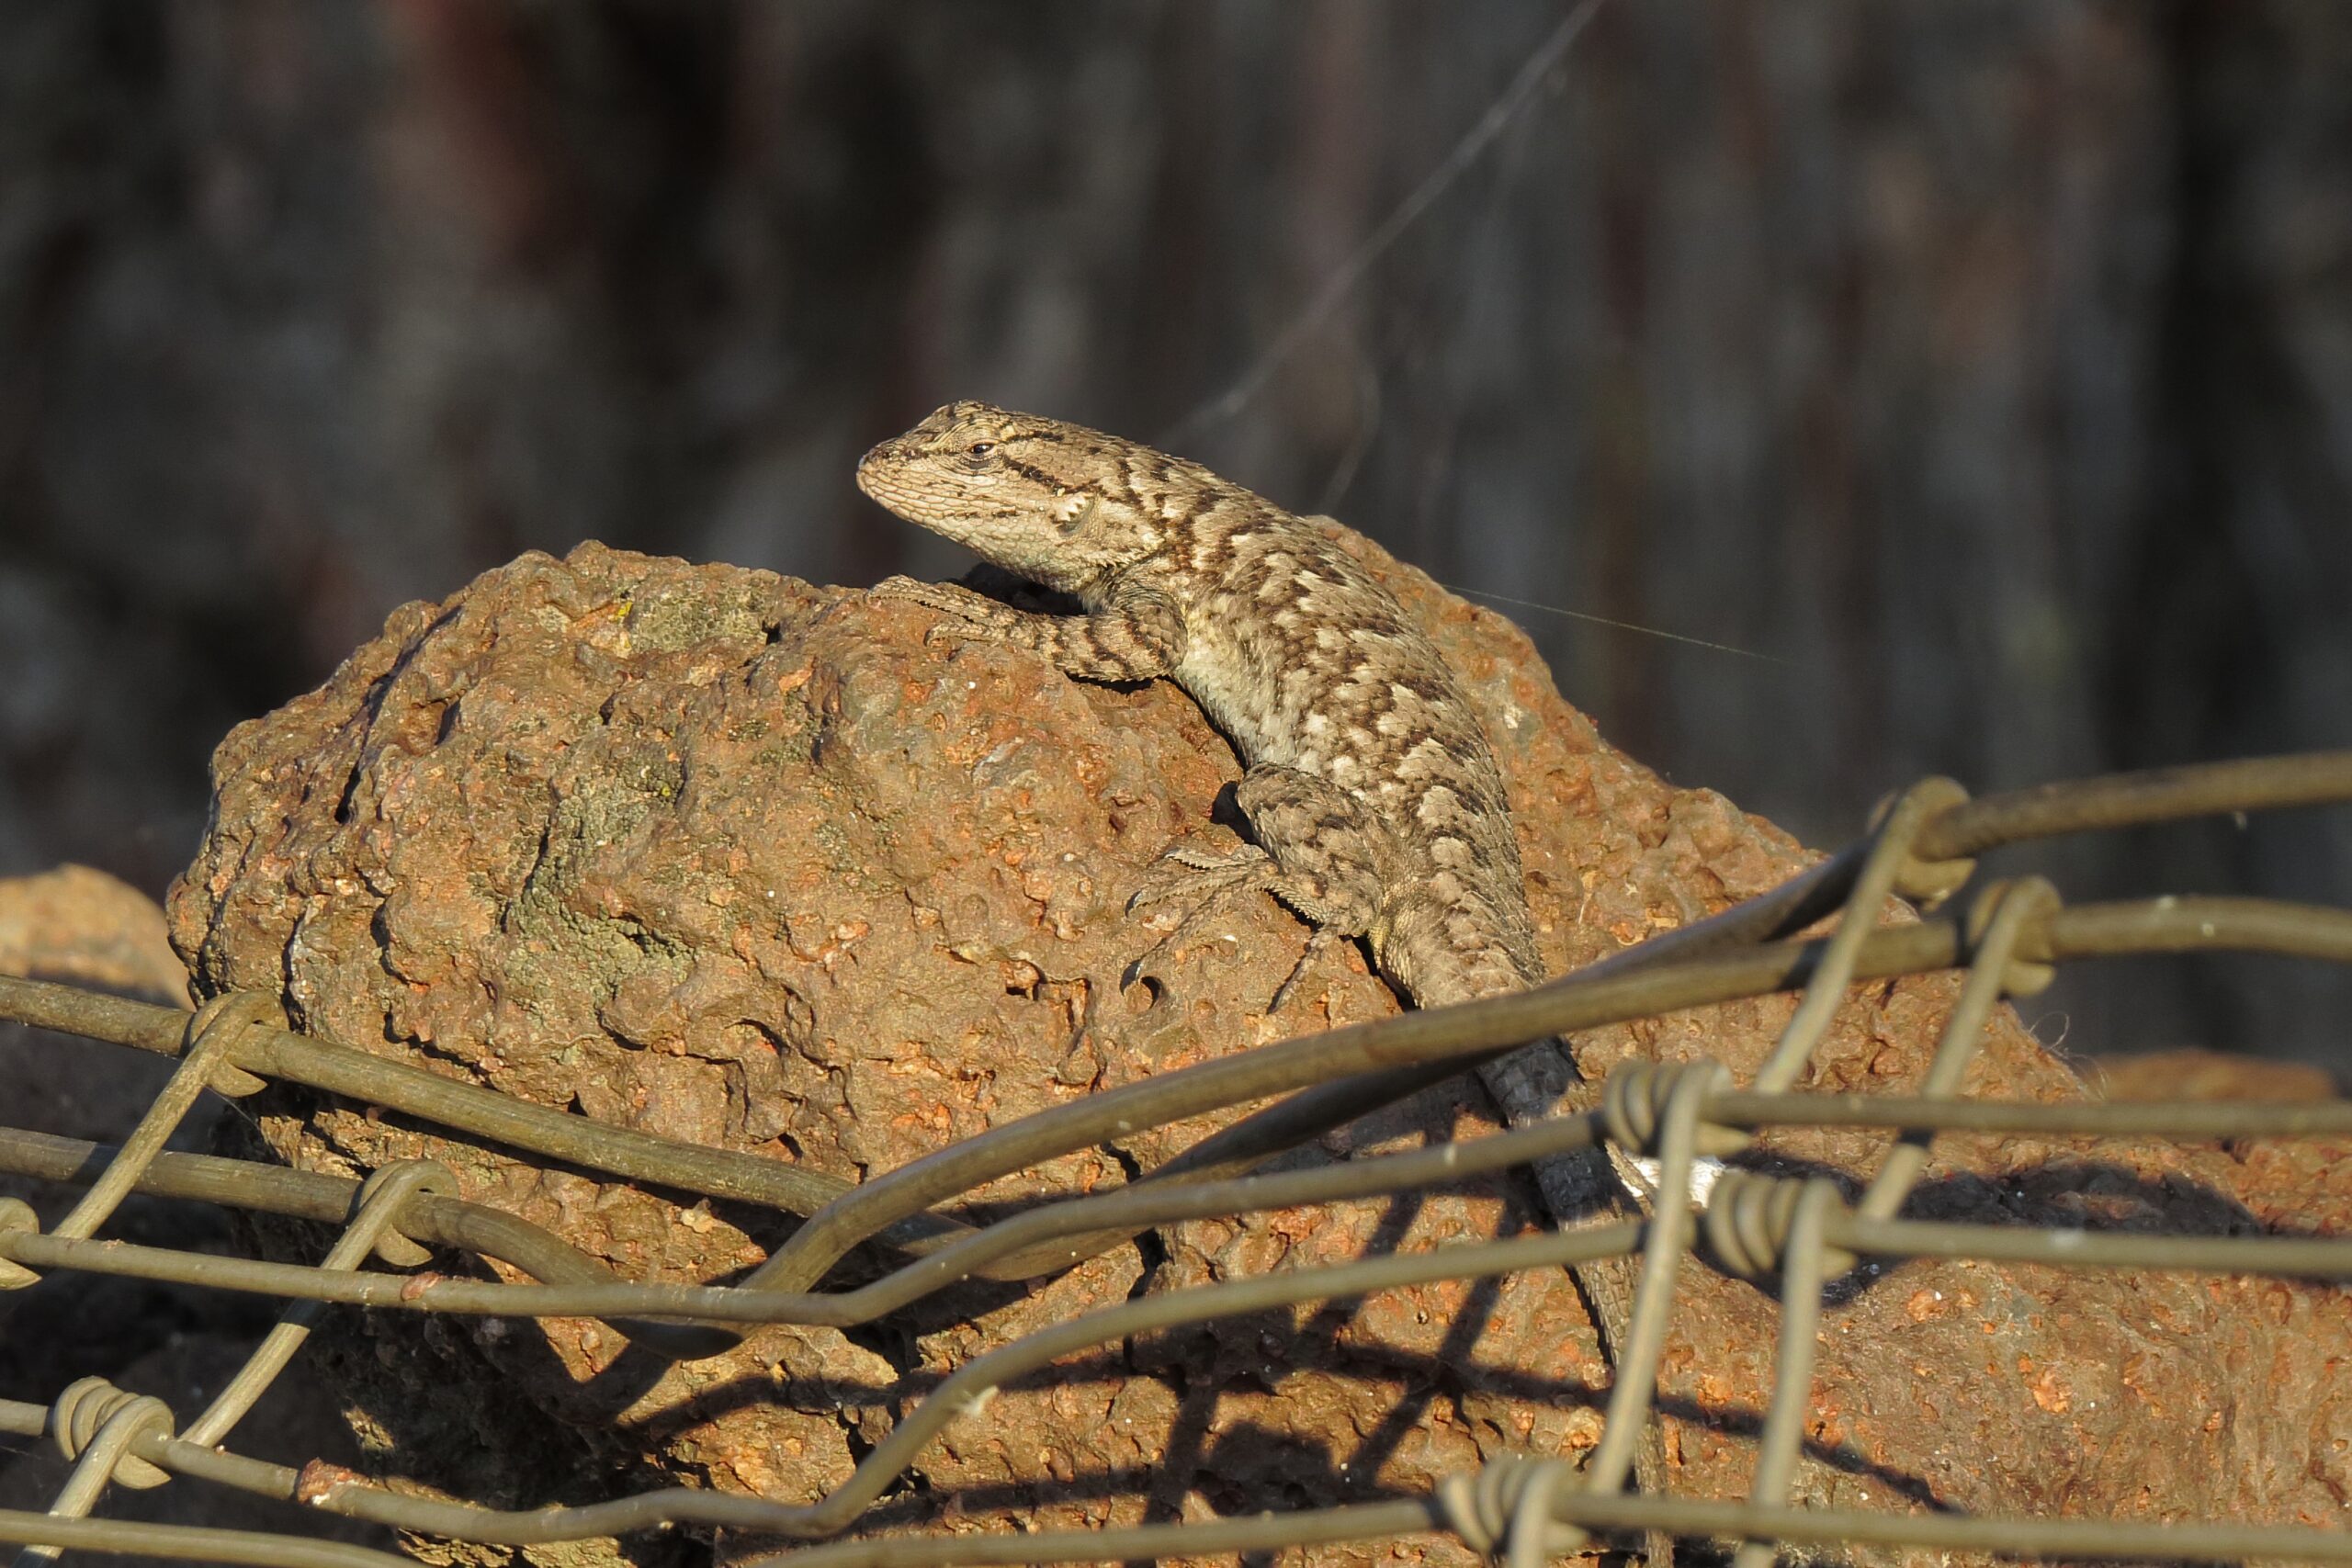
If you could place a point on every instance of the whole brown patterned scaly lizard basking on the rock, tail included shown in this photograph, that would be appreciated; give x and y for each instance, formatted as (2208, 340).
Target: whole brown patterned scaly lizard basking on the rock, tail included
(1372, 796)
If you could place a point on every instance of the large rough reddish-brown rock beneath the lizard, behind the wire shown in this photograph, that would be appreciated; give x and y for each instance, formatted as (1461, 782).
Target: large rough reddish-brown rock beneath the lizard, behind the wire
(751, 864)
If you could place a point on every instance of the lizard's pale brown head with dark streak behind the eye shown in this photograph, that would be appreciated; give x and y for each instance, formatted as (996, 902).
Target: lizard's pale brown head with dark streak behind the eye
(1057, 504)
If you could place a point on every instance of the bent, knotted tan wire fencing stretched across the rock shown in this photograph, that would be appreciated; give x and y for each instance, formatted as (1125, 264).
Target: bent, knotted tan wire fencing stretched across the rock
(1793, 1235)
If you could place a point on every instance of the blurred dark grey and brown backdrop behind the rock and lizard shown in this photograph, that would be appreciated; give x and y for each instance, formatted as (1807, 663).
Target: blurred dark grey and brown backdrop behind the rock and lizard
(1986, 366)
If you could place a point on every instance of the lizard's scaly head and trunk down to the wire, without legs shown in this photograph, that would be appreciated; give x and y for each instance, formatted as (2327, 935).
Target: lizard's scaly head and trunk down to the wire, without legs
(1285, 641)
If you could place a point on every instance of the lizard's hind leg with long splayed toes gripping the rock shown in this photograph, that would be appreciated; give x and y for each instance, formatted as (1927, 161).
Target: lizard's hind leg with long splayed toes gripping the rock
(1316, 850)
